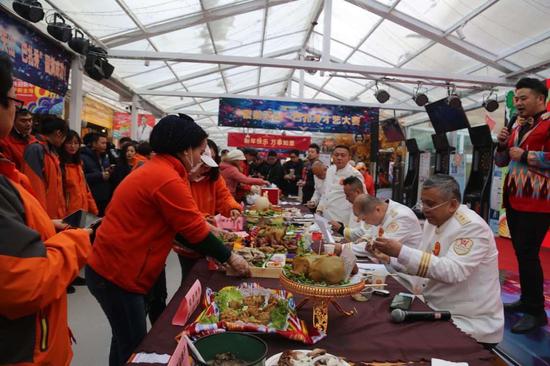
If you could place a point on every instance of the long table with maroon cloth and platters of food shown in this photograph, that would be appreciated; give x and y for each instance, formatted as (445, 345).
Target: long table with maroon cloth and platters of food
(355, 331)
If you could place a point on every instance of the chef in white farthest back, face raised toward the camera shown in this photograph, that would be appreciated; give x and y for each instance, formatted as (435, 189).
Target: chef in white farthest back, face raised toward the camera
(333, 204)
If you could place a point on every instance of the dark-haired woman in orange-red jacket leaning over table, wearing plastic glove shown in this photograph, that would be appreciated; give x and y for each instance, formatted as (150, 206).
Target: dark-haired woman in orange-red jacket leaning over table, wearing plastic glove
(148, 209)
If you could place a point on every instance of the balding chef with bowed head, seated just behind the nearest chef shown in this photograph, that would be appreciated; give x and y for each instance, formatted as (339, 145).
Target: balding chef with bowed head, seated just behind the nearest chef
(392, 220)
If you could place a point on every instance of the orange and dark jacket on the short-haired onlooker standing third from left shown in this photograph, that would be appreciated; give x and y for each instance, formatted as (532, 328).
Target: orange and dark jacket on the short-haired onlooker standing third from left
(42, 168)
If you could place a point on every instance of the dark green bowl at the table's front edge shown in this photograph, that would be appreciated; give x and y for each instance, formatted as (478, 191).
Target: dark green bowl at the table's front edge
(232, 349)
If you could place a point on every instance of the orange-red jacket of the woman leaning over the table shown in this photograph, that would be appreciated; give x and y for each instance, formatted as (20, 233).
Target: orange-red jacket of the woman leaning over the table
(148, 208)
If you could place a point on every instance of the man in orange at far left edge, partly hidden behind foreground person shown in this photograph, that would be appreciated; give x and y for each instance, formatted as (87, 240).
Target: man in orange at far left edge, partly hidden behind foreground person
(13, 146)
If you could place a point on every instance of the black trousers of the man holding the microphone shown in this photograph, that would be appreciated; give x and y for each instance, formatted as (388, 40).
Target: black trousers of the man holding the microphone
(528, 230)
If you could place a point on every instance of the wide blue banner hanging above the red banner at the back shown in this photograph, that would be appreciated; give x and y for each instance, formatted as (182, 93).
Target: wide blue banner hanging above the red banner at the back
(282, 115)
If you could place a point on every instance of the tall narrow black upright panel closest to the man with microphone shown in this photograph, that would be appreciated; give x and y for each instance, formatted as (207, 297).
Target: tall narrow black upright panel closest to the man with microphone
(478, 189)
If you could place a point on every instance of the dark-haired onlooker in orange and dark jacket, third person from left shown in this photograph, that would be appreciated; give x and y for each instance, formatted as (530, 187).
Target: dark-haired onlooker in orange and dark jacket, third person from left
(41, 166)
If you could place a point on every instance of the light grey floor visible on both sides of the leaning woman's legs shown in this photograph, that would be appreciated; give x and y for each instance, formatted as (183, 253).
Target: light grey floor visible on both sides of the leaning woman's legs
(90, 326)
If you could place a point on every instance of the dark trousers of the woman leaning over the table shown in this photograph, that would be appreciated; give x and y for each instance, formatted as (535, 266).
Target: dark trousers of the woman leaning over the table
(125, 312)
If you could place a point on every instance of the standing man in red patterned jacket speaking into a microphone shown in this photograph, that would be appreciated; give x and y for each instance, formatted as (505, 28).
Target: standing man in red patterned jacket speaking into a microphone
(525, 149)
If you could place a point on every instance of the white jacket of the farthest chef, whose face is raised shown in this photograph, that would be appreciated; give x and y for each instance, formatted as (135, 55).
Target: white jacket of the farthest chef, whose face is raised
(333, 203)
